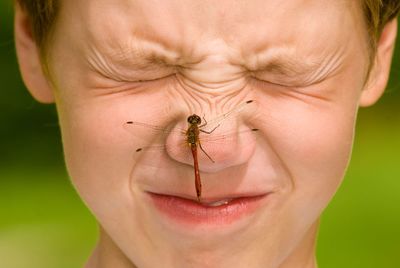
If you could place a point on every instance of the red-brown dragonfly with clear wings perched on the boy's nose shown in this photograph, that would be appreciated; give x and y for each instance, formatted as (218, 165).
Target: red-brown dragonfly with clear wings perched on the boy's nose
(192, 137)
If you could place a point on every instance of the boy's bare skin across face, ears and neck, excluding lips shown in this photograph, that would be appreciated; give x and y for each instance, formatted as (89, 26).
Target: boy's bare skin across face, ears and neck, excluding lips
(305, 63)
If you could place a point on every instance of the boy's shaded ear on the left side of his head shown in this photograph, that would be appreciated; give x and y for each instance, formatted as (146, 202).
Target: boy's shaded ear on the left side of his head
(29, 59)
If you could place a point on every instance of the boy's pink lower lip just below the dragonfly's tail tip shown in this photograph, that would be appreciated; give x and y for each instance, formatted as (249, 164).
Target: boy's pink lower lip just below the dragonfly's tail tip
(193, 213)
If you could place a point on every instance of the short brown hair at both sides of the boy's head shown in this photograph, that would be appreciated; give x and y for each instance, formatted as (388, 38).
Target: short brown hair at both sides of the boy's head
(43, 14)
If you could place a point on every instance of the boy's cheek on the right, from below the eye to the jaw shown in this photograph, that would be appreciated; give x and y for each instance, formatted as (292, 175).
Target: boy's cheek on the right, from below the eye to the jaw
(312, 145)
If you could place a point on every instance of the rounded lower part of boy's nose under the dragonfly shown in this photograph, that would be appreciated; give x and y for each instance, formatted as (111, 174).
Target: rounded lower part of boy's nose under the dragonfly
(216, 147)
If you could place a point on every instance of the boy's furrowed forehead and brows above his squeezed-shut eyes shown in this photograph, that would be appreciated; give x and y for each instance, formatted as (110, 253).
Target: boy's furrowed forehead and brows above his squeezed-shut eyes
(179, 33)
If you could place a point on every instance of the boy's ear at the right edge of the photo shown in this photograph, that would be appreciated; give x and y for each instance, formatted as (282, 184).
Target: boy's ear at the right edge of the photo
(380, 71)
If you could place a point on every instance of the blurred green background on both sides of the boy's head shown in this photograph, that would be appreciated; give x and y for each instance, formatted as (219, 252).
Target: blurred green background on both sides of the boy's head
(43, 223)
